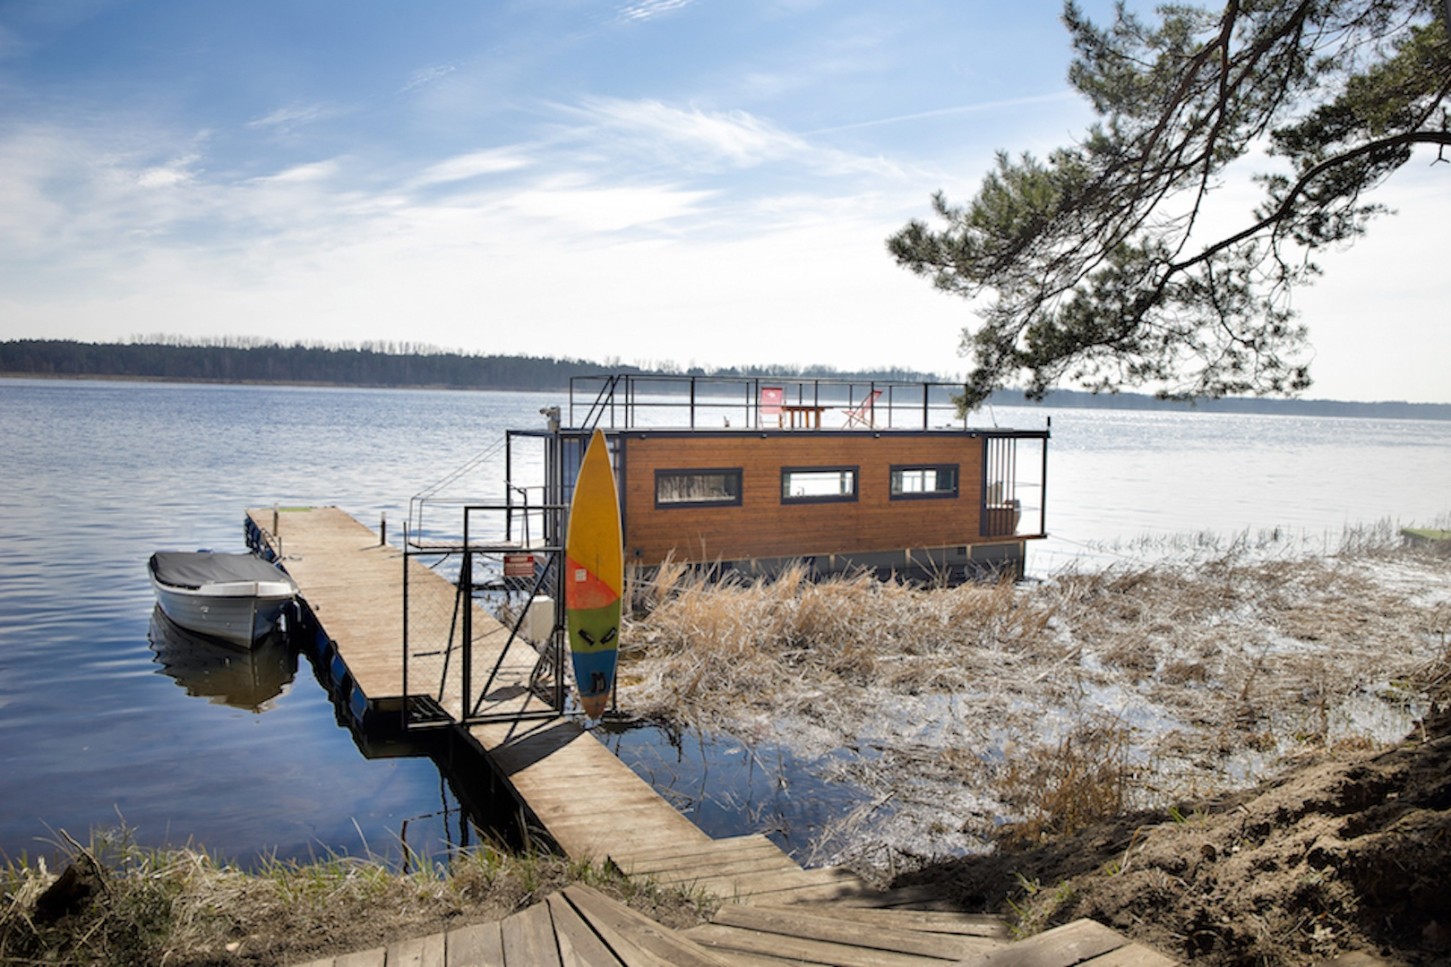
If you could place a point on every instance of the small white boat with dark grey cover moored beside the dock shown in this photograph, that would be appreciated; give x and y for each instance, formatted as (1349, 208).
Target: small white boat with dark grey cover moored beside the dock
(234, 597)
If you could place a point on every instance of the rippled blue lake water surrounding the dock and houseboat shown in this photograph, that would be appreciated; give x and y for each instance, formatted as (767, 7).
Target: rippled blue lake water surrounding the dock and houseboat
(98, 476)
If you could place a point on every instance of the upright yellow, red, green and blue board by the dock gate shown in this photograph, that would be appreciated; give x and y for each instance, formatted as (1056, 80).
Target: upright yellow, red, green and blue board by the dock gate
(594, 576)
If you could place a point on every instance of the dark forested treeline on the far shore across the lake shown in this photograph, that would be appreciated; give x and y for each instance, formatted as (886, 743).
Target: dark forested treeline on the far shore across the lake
(414, 367)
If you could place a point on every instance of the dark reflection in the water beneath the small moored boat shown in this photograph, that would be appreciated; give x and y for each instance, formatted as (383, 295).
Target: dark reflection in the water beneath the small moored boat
(220, 673)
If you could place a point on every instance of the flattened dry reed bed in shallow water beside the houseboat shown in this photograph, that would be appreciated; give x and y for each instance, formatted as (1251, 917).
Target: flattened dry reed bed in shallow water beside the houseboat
(982, 709)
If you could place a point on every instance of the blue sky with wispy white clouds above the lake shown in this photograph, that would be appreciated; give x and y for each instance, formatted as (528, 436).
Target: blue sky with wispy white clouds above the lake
(655, 182)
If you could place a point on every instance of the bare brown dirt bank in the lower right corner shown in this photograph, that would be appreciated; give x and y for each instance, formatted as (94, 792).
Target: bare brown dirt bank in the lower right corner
(1347, 850)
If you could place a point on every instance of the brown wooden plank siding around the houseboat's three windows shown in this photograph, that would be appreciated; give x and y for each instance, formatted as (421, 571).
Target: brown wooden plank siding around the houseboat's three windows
(763, 526)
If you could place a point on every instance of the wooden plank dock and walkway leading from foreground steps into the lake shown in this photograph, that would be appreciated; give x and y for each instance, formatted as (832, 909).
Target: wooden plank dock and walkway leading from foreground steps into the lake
(596, 808)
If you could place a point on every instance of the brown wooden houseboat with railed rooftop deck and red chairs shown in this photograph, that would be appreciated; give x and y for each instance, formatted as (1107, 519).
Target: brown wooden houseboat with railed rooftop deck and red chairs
(757, 474)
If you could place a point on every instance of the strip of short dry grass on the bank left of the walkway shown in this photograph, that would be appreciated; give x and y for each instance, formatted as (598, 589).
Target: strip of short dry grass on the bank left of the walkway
(182, 907)
